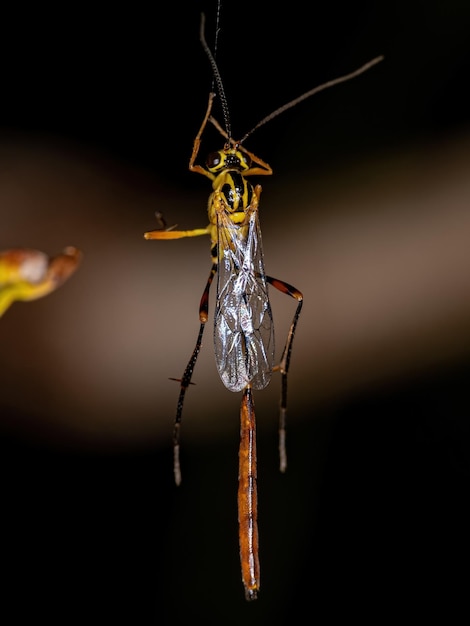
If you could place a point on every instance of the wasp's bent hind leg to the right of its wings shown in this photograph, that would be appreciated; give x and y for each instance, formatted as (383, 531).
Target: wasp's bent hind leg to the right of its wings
(283, 366)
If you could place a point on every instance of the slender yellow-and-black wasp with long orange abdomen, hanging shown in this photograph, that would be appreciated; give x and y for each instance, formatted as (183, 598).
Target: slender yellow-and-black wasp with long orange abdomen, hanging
(243, 324)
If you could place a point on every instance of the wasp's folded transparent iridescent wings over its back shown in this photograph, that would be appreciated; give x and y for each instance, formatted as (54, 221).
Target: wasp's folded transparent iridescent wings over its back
(243, 330)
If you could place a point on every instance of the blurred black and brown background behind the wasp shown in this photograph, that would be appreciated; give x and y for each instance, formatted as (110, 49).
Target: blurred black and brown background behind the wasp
(366, 213)
